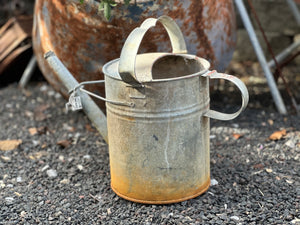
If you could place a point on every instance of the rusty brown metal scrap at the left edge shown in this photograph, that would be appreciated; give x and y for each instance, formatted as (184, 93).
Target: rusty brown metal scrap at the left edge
(15, 38)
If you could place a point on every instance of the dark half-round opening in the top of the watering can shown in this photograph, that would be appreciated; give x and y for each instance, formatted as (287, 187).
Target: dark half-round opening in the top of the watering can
(179, 65)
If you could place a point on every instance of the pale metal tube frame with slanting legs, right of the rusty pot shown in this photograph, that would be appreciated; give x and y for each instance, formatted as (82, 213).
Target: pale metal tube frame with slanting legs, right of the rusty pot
(266, 66)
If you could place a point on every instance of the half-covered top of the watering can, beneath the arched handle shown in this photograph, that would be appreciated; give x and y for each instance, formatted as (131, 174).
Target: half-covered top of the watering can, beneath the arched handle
(156, 67)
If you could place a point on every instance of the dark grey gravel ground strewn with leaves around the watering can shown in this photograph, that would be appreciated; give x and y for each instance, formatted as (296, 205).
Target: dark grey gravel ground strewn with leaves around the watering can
(58, 170)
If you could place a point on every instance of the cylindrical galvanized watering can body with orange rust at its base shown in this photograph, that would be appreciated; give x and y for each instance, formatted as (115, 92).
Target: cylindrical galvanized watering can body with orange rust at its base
(159, 149)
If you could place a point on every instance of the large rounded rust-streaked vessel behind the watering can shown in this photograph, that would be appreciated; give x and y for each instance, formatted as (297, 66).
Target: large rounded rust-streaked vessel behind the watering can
(82, 38)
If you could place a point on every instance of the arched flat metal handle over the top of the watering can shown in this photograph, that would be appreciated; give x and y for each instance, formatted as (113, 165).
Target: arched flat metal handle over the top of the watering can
(132, 44)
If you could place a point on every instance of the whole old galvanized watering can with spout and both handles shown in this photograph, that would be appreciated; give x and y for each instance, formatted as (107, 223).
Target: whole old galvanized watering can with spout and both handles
(157, 117)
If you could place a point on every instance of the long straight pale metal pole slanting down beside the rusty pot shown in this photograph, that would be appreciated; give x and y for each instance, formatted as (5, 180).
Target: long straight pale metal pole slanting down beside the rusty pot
(260, 55)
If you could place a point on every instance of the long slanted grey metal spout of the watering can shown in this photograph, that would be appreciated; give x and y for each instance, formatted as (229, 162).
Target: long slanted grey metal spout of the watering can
(89, 106)
